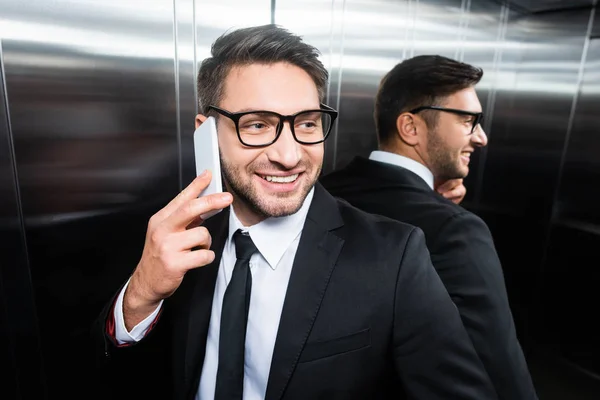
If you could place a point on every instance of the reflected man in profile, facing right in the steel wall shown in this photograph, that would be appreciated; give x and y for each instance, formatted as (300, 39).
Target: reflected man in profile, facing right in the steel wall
(428, 120)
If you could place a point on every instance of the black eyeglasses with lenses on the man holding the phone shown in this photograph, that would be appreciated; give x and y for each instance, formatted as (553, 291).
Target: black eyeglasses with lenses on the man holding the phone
(263, 128)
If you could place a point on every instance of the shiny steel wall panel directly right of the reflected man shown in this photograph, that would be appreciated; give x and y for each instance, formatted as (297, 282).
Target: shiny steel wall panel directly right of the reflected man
(538, 80)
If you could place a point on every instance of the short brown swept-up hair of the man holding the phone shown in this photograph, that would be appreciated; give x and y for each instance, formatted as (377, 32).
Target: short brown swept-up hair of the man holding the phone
(266, 44)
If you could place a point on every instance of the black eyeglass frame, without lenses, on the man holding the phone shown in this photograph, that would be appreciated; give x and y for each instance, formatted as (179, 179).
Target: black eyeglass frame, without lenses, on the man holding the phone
(235, 117)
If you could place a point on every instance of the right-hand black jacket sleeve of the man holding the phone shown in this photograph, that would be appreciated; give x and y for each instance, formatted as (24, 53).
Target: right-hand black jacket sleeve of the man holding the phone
(434, 356)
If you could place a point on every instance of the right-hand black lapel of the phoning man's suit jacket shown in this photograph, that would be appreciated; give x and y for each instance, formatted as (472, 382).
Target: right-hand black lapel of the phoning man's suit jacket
(315, 259)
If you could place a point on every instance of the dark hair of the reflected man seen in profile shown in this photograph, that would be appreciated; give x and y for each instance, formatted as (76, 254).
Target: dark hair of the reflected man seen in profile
(419, 81)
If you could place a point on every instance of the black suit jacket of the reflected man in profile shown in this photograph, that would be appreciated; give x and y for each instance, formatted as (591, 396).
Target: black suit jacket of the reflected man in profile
(462, 252)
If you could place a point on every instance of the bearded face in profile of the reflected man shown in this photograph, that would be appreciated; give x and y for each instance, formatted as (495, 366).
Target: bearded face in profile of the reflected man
(450, 143)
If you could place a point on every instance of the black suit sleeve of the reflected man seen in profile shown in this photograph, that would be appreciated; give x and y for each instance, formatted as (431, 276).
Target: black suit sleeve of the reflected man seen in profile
(466, 260)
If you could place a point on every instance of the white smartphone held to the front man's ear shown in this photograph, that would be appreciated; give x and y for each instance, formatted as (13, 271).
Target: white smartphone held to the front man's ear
(206, 150)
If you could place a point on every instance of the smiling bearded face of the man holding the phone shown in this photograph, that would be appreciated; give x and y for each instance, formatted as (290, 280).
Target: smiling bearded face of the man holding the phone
(270, 181)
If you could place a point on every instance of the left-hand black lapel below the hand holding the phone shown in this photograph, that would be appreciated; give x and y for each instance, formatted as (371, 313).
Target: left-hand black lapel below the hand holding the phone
(202, 285)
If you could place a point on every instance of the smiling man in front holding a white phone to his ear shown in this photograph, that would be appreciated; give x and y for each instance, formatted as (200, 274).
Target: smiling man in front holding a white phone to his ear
(287, 293)
